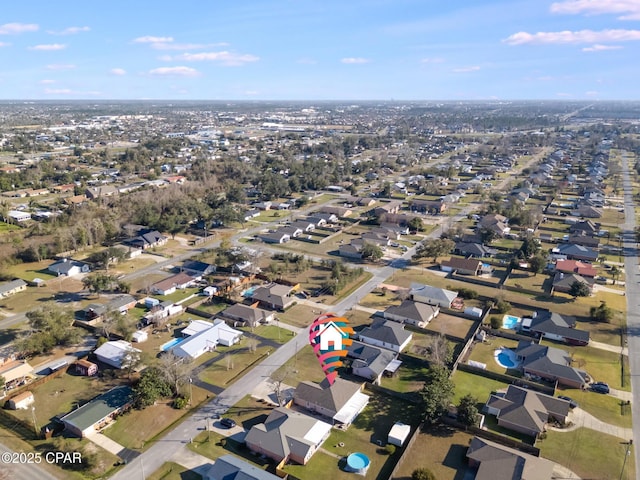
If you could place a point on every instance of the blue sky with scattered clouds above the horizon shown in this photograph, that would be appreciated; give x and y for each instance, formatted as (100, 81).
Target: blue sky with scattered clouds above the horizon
(321, 50)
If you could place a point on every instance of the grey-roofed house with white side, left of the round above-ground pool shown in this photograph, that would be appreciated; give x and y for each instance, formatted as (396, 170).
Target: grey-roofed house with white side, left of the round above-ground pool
(288, 436)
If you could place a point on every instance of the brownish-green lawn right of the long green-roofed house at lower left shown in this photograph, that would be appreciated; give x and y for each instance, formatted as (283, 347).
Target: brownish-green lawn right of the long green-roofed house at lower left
(137, 427)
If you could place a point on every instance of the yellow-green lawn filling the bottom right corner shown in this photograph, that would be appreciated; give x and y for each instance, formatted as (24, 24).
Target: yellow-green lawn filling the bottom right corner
(588, 453)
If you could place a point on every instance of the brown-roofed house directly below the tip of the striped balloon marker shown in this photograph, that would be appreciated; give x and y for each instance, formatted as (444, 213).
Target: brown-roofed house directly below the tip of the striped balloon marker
(341, 402)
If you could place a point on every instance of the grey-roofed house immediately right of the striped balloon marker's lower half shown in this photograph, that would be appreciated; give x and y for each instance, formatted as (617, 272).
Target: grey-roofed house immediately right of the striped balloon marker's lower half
(371, 362)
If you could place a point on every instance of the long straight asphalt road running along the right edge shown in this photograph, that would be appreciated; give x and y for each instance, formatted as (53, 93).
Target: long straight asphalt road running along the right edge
(632, 286)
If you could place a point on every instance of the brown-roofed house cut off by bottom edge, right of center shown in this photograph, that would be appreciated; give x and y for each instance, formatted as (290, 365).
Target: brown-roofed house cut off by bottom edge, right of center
(492, 461)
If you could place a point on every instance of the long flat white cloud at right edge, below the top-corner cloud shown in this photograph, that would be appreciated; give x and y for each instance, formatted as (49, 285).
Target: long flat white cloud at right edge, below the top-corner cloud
(567, 36)
